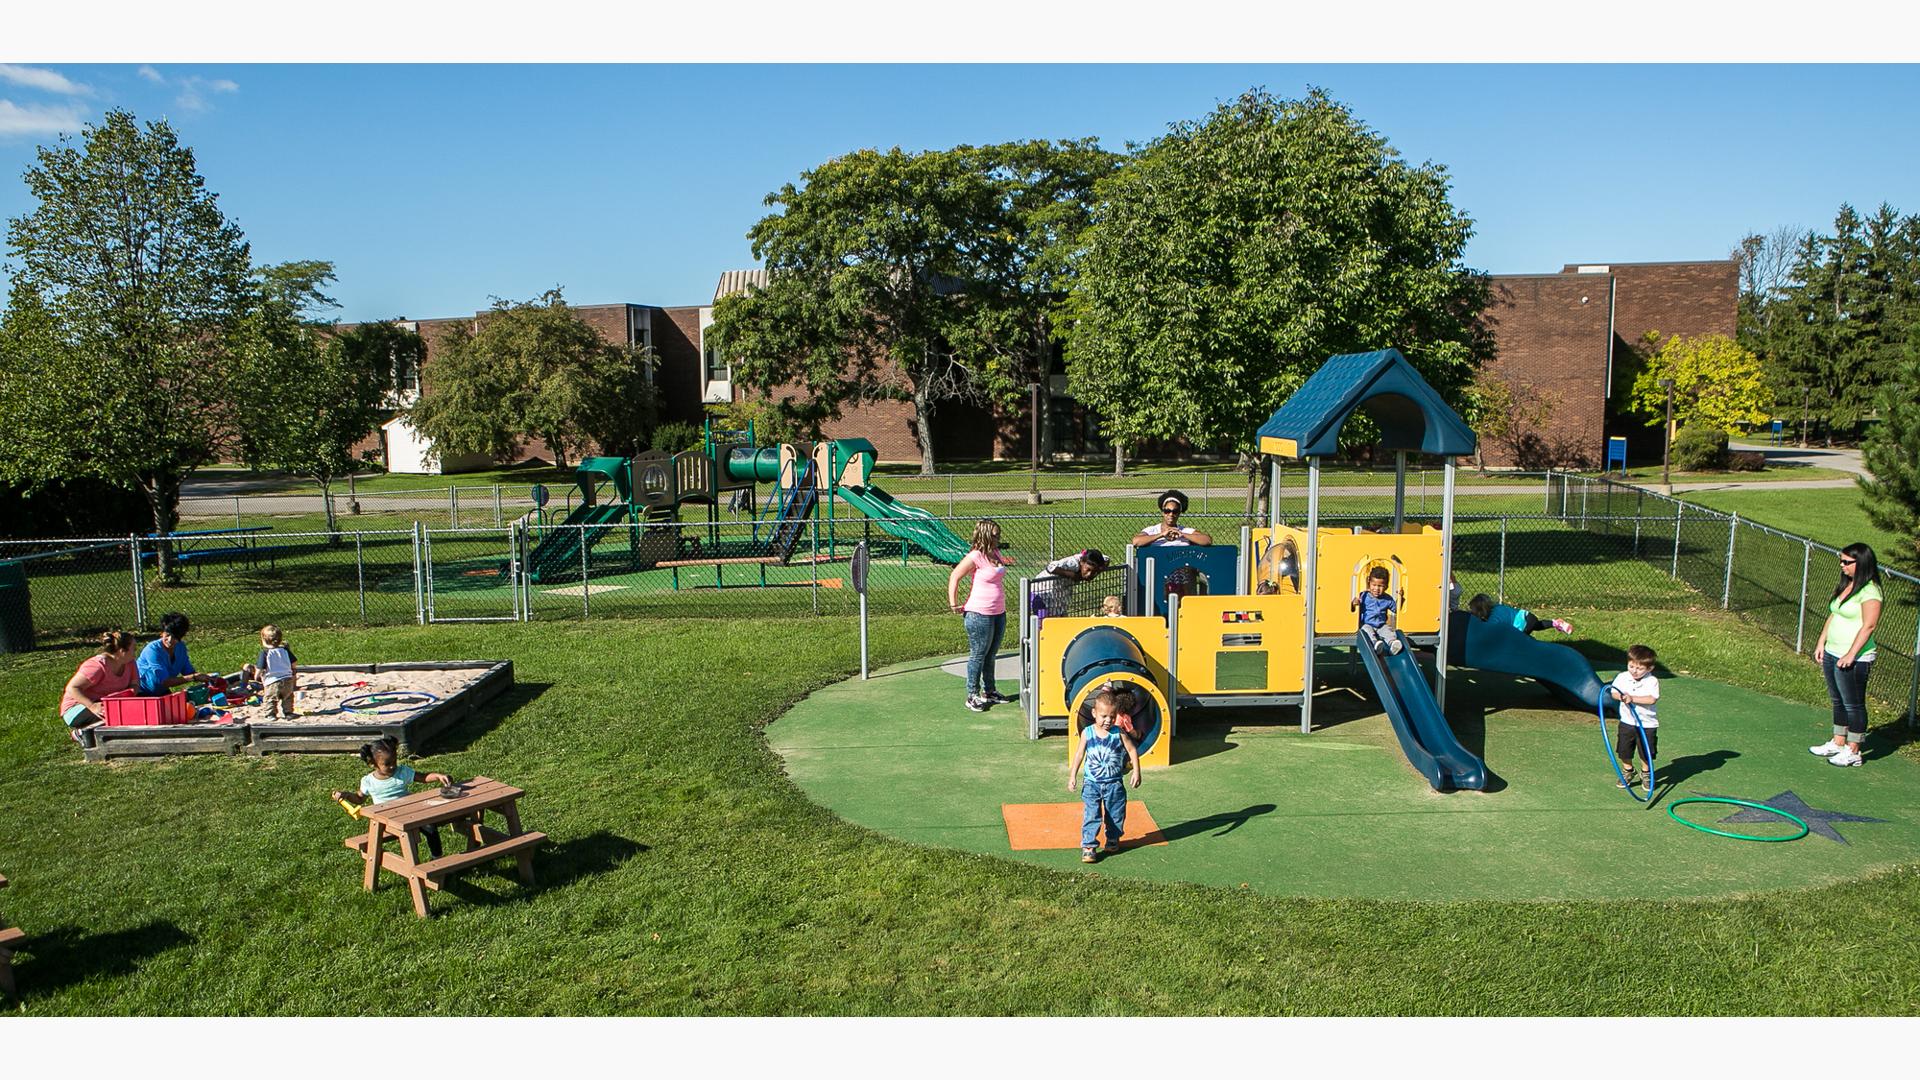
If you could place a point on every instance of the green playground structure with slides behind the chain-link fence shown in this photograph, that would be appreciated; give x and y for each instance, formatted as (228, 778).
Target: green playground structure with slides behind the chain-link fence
(646, 495)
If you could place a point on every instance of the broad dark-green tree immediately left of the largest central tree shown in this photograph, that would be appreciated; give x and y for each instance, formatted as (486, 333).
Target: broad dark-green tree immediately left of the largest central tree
(892, 278)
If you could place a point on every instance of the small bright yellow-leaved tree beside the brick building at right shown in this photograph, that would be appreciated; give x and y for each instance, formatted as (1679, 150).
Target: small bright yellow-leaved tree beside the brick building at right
(1716, 383)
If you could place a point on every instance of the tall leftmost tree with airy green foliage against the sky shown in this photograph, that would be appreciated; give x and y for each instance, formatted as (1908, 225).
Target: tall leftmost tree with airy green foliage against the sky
(128, 295)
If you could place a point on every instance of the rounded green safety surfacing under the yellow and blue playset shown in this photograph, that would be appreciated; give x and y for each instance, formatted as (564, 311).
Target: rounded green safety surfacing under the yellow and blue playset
(1339, 814)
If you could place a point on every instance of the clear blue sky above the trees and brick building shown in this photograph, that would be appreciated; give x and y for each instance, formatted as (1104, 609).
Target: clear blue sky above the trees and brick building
(437, 187)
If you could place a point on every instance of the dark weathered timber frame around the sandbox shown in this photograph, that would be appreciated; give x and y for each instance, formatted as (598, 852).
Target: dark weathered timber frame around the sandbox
(101, 743)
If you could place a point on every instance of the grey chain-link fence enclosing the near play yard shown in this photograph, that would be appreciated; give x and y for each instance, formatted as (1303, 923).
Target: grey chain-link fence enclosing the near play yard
(1583, 543)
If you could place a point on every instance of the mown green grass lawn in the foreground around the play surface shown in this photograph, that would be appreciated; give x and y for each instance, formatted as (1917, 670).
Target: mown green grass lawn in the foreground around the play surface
(688, 875)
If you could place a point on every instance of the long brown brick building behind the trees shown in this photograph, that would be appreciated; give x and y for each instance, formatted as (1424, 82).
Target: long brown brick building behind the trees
(1560, 337)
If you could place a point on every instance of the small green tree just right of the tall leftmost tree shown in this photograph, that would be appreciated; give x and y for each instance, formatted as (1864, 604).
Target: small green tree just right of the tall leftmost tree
(312, 393)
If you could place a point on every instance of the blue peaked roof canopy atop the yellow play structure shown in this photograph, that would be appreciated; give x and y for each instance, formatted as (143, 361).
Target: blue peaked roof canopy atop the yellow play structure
(1410, 412)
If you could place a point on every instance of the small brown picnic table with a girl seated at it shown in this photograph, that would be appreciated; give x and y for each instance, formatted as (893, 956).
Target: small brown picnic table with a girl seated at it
(404, 820)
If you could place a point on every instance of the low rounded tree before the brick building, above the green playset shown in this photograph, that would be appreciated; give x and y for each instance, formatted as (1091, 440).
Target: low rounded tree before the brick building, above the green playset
(533, 370)
